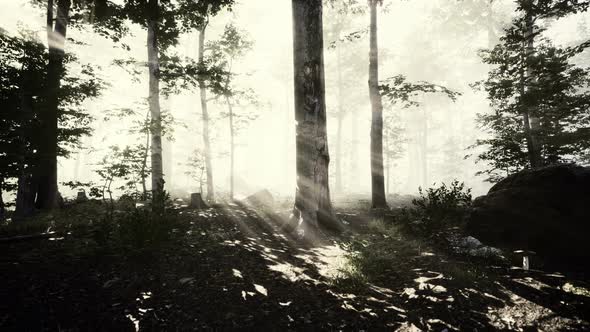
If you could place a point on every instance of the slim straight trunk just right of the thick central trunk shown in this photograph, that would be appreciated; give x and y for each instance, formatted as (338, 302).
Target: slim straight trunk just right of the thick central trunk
(377, 178)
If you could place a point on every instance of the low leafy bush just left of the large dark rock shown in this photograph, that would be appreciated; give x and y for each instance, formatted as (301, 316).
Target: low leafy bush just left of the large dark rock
(437, 209)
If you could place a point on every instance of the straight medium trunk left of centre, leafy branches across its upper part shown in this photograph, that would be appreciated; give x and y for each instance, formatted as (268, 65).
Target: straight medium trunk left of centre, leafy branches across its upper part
(154, 96)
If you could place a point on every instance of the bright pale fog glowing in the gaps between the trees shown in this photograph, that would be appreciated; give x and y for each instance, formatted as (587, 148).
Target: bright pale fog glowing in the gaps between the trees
(434, 41)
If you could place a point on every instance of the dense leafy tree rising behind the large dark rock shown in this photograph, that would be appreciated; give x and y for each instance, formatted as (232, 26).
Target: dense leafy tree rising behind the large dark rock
(540, 99)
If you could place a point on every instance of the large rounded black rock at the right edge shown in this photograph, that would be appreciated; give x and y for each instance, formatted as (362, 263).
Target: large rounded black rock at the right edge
(545, 210)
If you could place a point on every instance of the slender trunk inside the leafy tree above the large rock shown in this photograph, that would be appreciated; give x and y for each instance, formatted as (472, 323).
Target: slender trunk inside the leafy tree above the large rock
(531, 122)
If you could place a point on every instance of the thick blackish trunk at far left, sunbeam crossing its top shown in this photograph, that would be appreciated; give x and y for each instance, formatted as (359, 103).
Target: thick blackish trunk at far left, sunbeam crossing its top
(47, 197)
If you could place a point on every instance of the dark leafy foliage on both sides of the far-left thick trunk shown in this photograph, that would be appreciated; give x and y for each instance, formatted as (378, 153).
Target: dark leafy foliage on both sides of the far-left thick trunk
(23, 94)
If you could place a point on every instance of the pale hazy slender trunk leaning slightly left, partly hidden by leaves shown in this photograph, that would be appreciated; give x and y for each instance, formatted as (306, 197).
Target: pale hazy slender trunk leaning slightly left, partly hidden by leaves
(205, 117)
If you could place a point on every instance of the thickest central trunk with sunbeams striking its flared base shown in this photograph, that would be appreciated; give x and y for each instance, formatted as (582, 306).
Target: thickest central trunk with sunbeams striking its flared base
(312, 198)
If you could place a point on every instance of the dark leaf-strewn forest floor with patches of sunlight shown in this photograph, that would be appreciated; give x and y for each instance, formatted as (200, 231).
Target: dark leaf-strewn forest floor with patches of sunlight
(233, 268)
